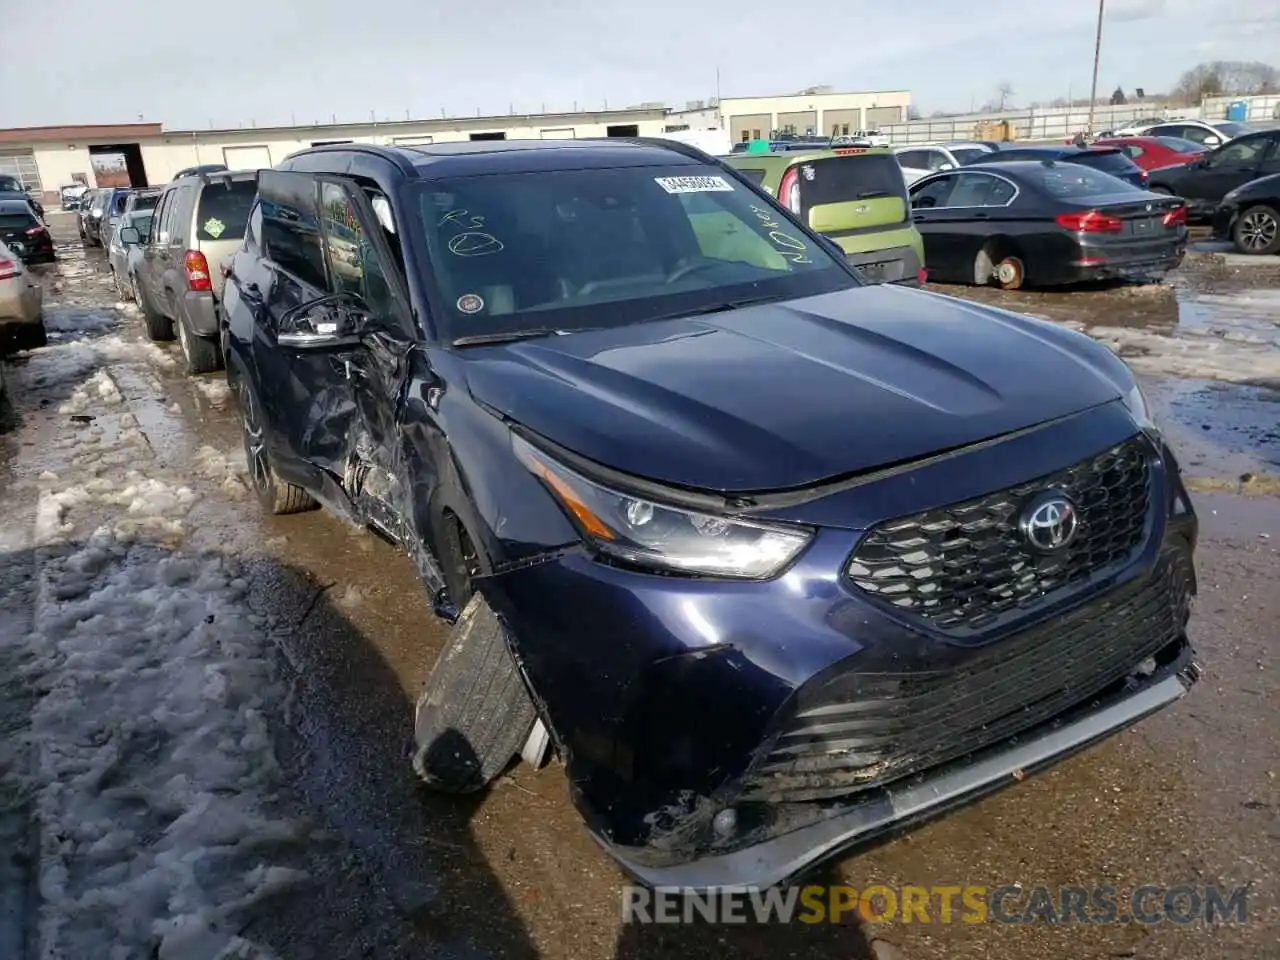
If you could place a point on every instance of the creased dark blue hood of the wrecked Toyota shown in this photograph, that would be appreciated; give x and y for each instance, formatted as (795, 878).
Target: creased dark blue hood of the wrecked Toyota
(785, 395)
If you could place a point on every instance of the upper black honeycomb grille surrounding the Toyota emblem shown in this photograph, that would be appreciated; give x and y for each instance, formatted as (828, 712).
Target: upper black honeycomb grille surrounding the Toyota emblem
(966, 565)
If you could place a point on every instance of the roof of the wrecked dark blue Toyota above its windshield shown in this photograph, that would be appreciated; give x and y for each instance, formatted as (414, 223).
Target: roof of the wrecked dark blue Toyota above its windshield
(488, 157)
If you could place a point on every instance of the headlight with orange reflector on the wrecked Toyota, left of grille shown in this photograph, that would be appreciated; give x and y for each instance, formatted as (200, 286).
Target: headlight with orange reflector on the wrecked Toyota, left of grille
(655, 536)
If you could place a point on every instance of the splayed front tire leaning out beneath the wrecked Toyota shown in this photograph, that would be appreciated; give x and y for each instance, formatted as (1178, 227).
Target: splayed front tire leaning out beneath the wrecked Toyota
(474, 715)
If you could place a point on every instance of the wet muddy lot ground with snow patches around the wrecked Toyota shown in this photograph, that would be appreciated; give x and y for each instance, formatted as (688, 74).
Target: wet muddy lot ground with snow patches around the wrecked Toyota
(205, 715)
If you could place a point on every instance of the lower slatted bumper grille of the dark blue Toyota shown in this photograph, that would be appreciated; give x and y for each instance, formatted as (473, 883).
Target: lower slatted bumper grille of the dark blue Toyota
(865, 730)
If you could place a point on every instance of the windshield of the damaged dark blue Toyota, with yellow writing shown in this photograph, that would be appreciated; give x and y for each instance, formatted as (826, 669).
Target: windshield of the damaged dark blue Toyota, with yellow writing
(610, 248)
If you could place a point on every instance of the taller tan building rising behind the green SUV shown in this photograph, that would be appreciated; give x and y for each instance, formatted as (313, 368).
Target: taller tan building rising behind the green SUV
(816, 112)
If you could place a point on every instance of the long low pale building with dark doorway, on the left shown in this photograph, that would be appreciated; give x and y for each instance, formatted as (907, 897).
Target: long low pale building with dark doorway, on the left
(143, 154)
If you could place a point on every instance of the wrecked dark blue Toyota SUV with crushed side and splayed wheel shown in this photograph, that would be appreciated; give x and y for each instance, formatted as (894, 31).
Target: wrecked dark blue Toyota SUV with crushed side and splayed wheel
(771, 560)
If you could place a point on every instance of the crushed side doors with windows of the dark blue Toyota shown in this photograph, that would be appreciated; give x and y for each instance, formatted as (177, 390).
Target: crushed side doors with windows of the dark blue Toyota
(335, 342)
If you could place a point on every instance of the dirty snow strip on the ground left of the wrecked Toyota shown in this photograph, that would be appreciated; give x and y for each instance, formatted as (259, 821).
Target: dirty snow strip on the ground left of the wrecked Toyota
(156, 772)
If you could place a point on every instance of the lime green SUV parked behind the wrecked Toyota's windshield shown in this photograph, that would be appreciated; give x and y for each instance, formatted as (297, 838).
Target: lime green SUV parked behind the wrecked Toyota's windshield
(856, 196)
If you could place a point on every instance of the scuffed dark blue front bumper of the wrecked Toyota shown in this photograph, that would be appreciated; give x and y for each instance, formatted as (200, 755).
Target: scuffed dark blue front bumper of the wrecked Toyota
(671, 698)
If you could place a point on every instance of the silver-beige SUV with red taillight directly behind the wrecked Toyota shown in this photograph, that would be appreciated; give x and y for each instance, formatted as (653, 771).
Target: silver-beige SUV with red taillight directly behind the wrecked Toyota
(198, 226)
